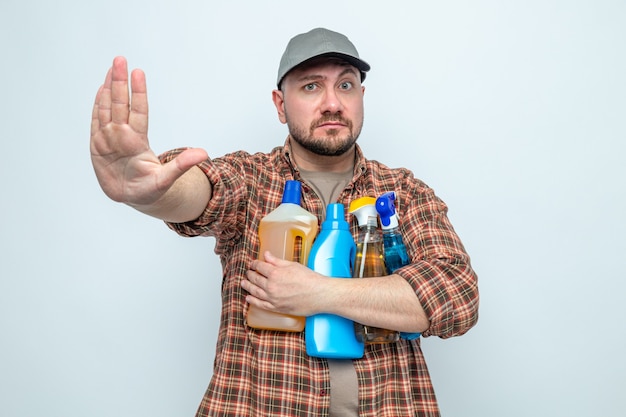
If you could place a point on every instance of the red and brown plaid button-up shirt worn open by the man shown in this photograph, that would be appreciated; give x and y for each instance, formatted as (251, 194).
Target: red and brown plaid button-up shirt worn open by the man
(264, 373)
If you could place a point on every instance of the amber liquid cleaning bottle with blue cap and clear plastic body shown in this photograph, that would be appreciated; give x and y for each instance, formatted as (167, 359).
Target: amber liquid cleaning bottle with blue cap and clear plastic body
(287, 232)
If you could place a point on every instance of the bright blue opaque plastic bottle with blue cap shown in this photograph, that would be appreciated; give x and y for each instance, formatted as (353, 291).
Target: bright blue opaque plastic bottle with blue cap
(332, 254)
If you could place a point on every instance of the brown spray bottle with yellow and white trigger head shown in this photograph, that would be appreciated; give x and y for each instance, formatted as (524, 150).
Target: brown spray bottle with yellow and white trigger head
(369, 262)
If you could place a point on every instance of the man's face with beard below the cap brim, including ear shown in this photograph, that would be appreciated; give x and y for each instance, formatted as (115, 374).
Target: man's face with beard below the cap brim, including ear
(322, 104)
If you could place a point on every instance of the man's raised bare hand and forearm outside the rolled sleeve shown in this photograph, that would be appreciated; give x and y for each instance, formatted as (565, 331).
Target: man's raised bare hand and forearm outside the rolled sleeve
(127, 169)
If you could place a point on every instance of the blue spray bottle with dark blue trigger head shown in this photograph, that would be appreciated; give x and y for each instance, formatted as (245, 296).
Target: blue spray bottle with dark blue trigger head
(395, 253)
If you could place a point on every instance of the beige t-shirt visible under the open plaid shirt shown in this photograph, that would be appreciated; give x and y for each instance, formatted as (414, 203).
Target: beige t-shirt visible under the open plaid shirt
(344, 387)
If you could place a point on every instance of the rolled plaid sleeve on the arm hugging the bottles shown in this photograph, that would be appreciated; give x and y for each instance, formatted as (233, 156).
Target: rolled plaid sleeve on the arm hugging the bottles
(440, 271)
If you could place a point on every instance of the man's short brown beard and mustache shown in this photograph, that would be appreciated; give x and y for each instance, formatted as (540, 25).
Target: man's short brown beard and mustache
(330, 145)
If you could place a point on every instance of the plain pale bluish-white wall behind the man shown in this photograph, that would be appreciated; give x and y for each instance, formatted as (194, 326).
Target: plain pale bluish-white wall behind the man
(514, 112)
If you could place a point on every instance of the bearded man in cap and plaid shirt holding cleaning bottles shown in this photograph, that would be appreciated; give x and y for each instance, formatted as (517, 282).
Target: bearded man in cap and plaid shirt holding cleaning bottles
(319, 96)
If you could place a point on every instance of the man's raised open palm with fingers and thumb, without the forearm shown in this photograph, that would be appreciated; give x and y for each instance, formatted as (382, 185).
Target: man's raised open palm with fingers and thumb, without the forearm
(127, 169)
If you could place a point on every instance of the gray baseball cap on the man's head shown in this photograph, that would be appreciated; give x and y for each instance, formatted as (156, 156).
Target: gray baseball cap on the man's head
(315, 43)
